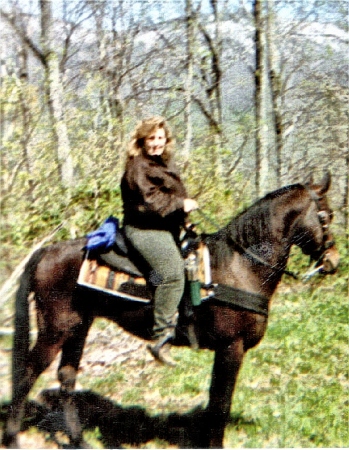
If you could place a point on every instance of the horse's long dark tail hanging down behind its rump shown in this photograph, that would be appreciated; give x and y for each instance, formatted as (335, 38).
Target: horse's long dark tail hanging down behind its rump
(21, 339)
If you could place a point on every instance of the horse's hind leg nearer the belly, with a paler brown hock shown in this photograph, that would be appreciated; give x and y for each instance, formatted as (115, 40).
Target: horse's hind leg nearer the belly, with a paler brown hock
(67, 371)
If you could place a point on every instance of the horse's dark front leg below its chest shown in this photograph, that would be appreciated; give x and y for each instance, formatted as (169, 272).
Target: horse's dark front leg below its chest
(225, 371)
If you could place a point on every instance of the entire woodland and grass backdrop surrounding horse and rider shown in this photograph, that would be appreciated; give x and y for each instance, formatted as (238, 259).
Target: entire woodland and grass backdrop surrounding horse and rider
(256, 92)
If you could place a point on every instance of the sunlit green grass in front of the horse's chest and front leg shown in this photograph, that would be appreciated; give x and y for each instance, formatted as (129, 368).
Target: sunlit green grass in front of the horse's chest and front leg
(294, 386)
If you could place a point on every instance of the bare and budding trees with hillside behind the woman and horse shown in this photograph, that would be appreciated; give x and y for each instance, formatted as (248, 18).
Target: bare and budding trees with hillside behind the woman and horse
(256, 93)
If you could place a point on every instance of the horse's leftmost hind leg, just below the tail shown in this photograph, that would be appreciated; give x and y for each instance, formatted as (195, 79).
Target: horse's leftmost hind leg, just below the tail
(39, 358)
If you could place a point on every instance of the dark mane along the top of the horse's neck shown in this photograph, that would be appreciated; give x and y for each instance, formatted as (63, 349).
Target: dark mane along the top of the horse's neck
(252, 226)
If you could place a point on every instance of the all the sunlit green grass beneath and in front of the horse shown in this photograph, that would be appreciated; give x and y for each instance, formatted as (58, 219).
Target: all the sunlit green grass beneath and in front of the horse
(292, 390)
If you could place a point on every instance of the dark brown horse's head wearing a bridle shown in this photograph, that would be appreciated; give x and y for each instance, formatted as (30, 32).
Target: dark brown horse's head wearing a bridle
(313, 233)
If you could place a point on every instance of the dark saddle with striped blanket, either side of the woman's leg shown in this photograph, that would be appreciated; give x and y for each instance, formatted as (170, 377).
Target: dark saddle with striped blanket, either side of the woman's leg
(114, 272)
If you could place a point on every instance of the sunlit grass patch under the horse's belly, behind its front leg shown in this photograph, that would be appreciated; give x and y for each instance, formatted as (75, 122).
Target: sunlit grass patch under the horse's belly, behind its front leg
(154, 386)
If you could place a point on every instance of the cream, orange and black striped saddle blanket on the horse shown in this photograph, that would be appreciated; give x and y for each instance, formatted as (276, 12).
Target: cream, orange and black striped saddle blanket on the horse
(120, 284)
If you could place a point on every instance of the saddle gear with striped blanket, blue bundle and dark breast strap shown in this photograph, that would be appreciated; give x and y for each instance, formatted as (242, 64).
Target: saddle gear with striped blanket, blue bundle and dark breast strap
(112, 270)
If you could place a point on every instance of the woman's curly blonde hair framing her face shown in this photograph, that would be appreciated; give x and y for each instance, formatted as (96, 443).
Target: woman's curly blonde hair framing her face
(144, 129)
